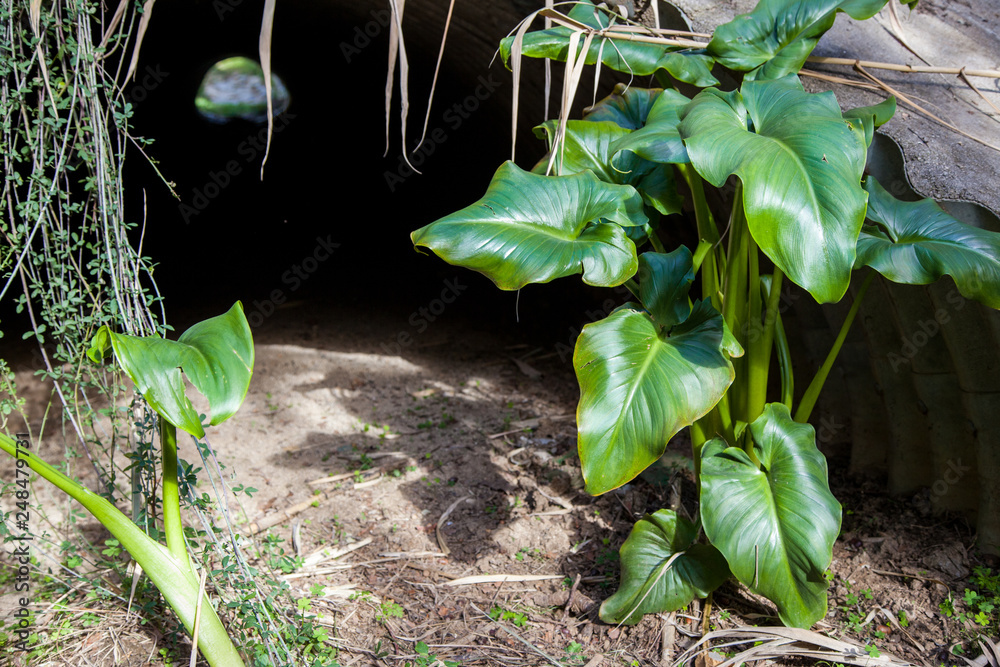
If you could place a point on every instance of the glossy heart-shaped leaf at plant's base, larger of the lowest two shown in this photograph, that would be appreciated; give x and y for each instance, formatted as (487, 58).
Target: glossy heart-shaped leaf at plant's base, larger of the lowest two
(775, 524)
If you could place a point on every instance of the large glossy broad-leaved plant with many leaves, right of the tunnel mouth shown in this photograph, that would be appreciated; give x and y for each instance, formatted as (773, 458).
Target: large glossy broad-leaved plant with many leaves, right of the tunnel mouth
(803, 210)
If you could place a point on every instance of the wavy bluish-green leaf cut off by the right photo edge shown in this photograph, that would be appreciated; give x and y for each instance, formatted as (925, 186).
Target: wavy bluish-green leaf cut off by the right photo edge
(915, 243)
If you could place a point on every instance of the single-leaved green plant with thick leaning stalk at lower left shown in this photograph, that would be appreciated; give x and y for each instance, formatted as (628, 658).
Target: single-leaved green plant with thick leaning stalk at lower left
(217, 357)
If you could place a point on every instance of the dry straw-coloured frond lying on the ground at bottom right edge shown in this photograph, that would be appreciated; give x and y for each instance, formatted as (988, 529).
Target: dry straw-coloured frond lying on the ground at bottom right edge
(776, 643)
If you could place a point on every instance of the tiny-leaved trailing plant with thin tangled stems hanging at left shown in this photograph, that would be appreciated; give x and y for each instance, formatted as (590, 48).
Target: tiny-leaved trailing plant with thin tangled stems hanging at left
(69, 261)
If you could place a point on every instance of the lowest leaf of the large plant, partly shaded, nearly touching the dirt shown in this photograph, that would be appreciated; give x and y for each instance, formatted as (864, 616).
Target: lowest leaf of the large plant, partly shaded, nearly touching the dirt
(651, 582)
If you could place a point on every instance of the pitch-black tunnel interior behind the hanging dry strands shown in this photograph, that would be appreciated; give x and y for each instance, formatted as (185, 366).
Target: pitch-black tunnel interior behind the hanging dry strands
(330, 222)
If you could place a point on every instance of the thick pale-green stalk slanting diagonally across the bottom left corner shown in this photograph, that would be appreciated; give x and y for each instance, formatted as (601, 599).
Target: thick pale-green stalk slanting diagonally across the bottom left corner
(173, 577)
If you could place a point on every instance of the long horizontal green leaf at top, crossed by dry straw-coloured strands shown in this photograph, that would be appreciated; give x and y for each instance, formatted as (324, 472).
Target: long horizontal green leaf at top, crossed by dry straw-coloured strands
(622, 55)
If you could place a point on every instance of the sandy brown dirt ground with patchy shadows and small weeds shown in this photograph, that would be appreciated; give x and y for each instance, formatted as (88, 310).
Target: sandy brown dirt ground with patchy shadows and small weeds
(455, 456)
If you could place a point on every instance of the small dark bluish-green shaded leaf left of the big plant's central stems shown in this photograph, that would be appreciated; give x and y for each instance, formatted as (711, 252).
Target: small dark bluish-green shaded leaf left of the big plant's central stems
(664, 282)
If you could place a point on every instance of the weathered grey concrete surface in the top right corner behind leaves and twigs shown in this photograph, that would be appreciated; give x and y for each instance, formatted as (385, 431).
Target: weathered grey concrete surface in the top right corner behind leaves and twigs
(947, 33)
